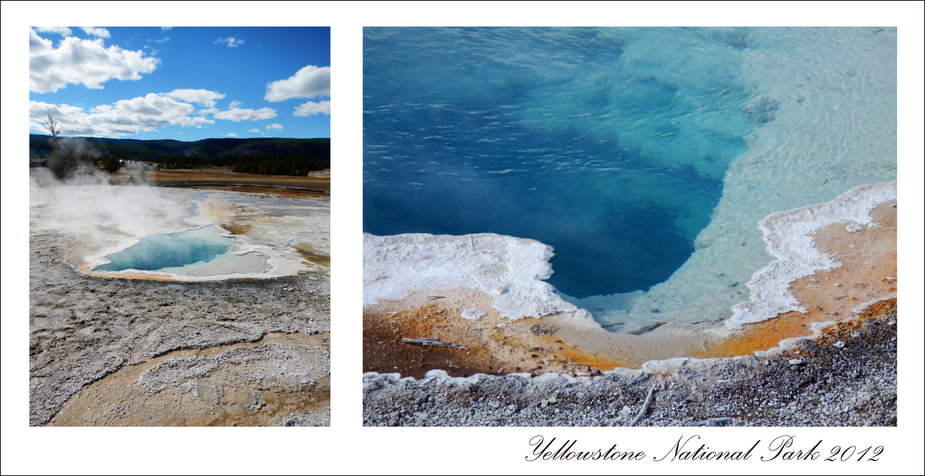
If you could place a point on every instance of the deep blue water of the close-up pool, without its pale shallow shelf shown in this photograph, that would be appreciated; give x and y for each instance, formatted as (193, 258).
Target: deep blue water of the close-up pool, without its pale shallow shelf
(609, 145)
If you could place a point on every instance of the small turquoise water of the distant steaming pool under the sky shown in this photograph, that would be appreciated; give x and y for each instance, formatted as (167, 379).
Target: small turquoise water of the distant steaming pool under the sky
(169, 250)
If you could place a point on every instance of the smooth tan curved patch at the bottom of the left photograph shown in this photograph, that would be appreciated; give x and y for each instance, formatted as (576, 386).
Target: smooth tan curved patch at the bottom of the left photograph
(226, 396)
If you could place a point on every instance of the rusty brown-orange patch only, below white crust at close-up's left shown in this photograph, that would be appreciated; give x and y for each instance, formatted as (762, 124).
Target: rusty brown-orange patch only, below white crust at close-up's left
(490, 344)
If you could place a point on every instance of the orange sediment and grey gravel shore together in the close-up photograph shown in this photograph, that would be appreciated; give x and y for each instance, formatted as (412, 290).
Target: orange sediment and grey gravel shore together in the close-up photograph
(781, 372)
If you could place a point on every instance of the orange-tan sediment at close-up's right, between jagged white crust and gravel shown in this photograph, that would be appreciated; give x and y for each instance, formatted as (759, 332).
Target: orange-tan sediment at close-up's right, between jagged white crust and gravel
(868, 273)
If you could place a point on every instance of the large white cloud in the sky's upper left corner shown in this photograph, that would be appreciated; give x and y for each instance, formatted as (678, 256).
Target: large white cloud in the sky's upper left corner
(86, 62)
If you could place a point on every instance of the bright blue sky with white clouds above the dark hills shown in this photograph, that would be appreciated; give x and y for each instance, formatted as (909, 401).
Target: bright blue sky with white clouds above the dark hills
(181, 83)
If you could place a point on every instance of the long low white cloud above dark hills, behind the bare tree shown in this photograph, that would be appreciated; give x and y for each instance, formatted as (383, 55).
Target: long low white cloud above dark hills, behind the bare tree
(125, 117)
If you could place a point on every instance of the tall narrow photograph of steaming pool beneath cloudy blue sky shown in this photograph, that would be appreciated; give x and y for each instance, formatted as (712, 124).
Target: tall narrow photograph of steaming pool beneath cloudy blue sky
(179, 226)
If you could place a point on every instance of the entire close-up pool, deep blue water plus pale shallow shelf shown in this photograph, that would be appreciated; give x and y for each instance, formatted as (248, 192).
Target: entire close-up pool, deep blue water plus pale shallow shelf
(644, 156)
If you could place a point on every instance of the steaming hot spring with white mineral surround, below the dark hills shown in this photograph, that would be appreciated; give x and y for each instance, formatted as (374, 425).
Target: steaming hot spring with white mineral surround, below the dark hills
(182, 234)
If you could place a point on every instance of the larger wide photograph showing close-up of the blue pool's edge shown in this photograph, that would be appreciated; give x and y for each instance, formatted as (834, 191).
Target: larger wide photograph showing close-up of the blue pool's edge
(630, 226)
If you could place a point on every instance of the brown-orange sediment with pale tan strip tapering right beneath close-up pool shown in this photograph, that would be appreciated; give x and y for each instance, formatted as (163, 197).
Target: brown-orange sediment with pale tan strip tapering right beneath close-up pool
(493, 345)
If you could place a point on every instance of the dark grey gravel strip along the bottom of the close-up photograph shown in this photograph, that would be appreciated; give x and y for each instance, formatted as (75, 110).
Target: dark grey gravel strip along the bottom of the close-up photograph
(846, 377)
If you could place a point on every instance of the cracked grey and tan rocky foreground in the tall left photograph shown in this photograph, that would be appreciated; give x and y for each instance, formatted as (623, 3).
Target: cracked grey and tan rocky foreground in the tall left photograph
(251, 352)
